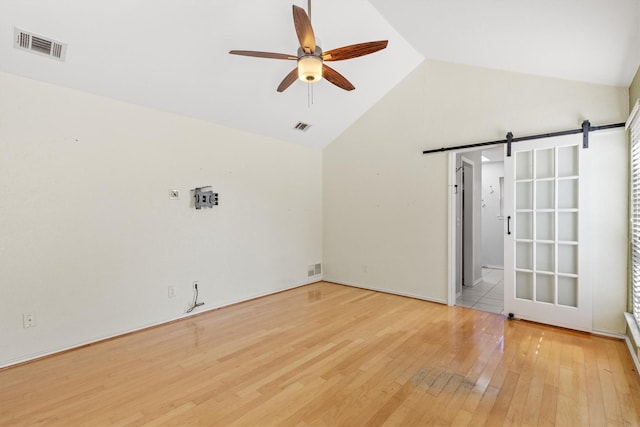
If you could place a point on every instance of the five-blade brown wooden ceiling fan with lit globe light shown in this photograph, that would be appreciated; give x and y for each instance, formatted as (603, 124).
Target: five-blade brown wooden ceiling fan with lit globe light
(311, 59)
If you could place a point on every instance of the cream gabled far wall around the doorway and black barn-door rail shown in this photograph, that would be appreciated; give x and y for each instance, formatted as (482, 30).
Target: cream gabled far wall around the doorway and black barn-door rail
(385, 204)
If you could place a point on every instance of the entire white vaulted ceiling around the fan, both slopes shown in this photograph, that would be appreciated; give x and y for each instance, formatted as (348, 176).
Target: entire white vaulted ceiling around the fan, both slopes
(173, 54)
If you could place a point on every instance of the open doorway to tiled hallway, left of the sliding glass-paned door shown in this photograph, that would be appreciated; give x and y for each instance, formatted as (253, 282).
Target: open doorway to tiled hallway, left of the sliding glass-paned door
(476, 229)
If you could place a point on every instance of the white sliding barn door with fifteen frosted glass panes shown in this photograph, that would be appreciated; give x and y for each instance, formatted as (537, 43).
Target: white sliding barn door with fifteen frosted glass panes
(543, 276)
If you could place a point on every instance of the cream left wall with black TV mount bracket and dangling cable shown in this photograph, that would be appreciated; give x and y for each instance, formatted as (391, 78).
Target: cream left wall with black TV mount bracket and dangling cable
(89, 240)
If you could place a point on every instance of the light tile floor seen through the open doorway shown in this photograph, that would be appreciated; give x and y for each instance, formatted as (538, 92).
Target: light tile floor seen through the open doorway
(487, 295)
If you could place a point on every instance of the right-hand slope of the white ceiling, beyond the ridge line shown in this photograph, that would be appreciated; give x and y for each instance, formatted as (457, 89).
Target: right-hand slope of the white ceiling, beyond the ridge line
(595, 41)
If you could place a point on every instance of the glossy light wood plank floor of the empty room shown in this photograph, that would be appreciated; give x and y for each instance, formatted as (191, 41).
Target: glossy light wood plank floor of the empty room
(330, 355)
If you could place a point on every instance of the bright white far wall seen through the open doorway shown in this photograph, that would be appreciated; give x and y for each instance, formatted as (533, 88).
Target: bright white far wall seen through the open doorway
(492, 252)
